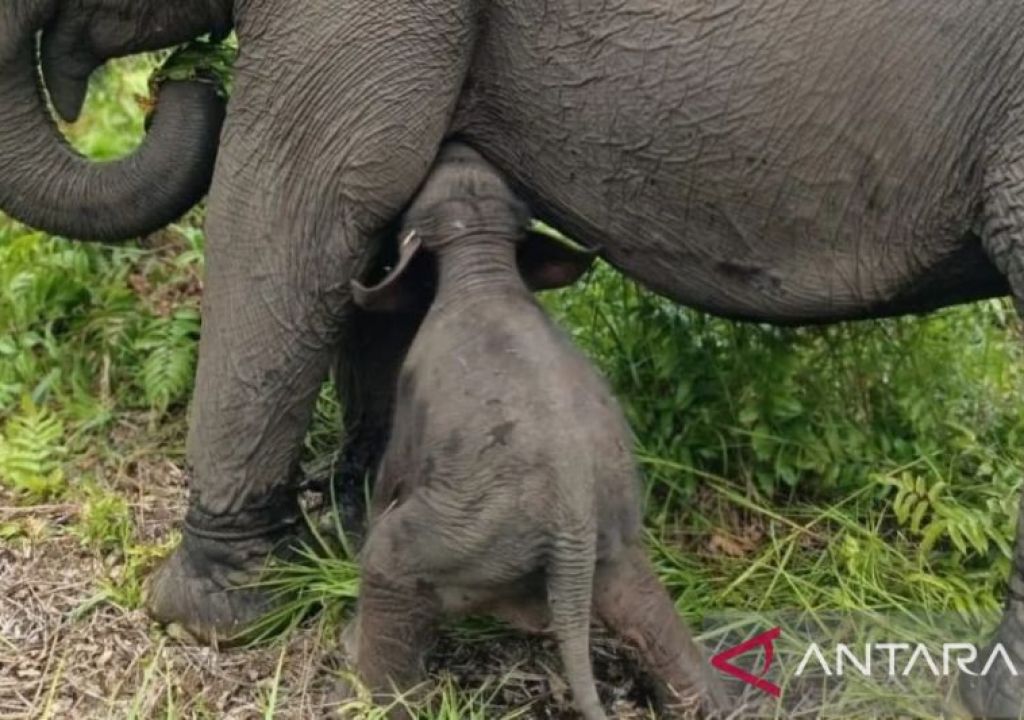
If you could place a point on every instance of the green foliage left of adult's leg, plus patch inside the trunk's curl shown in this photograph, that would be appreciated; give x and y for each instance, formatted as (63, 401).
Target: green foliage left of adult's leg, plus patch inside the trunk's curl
(88, 331)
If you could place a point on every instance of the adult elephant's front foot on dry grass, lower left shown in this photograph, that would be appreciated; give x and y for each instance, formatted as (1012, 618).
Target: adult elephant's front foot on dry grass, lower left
(208, 586)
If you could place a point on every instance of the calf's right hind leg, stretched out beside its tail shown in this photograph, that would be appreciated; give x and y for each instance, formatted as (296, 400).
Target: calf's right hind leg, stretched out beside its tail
(633, 604)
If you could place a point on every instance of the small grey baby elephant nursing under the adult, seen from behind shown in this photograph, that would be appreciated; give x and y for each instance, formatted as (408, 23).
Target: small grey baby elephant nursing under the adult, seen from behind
(508, 486)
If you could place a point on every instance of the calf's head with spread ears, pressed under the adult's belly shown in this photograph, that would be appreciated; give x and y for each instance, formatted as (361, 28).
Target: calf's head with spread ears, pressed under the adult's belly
(465, 201)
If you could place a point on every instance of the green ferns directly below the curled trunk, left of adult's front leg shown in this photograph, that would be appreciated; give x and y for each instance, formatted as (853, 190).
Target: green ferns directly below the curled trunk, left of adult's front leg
(78, 337)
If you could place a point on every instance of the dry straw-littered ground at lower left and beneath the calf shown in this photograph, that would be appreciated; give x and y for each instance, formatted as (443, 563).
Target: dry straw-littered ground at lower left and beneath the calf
(67, 652)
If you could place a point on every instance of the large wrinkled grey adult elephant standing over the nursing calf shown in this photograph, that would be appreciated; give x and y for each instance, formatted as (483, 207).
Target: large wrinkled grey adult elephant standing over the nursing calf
(786, 161)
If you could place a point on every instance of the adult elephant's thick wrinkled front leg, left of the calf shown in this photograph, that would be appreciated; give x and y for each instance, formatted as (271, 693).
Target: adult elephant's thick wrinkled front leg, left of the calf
(334, 119)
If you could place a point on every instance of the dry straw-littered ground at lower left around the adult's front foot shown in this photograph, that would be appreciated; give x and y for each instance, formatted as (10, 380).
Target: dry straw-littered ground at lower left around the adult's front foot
(66, 653)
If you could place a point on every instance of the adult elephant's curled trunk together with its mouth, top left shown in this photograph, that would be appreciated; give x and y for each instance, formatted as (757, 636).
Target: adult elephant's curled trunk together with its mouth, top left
(45, 183)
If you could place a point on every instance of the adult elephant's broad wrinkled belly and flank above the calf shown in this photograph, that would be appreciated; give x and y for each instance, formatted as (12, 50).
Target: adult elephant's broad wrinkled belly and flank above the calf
(784, 162)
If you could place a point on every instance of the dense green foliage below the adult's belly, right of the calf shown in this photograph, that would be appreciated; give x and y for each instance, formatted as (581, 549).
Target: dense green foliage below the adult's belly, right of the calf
(808, 411)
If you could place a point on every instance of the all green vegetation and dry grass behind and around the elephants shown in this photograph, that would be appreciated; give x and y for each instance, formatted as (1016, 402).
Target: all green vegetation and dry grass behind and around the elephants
(872, 467)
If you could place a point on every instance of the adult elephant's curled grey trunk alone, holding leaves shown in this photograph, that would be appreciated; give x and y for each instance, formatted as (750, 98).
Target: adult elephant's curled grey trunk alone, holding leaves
(47, 185)
